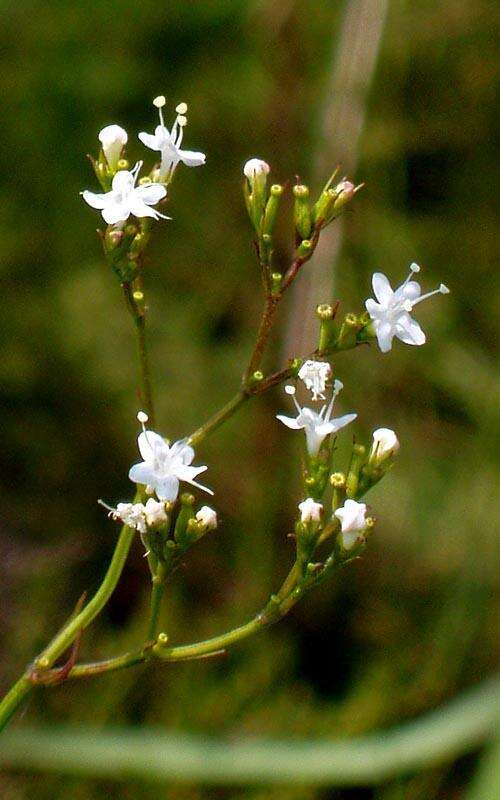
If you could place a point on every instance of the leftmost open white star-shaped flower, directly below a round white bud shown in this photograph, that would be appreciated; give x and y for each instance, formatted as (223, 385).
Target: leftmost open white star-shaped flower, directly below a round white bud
(126, 198)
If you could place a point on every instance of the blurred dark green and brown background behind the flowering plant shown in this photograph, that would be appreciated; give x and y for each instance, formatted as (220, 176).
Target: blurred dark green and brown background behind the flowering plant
(413, 623)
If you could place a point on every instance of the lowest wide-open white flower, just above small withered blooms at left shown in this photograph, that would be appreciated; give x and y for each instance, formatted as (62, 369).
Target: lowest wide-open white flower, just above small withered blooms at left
(164, 466)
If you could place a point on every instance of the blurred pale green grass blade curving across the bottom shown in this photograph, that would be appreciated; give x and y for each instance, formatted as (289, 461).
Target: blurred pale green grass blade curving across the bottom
(437, 737)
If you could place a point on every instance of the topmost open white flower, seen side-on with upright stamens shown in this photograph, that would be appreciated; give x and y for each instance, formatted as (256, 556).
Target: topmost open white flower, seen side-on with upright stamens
(169, 142)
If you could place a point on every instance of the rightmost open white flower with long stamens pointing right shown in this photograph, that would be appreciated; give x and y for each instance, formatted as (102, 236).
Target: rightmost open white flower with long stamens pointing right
(391, 314)
